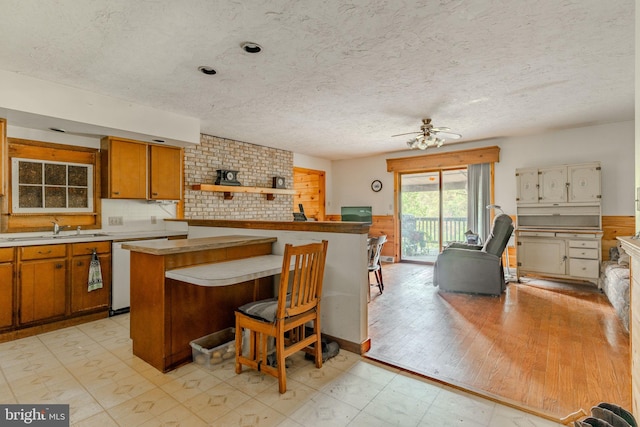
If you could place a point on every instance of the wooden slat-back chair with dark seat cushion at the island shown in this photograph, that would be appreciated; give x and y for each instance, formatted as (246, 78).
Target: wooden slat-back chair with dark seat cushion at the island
(284, 318)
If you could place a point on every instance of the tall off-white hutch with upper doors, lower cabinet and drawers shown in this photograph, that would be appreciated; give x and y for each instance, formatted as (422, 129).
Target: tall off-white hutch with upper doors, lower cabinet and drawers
(559, 222)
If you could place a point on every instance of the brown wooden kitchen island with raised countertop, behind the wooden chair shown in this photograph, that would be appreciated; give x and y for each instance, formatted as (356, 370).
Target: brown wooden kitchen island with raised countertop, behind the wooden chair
(166, 314)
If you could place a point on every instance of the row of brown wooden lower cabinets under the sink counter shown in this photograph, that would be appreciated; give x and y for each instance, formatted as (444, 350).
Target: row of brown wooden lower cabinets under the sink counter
(45, 287)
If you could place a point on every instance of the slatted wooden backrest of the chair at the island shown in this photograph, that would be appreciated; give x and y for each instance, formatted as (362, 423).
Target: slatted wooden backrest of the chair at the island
(303, 282)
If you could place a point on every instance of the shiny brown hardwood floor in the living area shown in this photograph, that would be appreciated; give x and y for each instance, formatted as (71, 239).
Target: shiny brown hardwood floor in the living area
(546, 347)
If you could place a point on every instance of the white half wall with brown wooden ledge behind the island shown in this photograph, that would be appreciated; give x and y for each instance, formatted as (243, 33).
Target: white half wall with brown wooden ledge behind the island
(346, 282)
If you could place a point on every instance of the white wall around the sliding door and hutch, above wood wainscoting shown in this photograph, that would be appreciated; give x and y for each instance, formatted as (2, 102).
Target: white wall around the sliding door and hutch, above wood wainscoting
(611, 144)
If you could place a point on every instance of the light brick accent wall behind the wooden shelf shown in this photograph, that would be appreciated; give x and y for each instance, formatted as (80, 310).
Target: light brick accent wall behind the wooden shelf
(256, 165)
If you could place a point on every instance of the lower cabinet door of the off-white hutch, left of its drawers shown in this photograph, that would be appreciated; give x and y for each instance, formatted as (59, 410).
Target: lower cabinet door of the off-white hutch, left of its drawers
(542, 255)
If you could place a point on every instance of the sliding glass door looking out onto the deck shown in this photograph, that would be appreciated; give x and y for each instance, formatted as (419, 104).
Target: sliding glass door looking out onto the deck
(433, 212)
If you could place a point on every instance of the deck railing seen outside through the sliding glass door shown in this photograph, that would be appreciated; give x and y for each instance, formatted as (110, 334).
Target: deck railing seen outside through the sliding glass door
(420, 234)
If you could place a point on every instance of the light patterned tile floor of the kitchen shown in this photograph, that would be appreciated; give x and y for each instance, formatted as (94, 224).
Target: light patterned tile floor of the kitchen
(91, 367)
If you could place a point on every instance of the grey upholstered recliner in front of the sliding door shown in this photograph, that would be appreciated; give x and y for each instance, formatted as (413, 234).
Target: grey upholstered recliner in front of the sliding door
(475, 269)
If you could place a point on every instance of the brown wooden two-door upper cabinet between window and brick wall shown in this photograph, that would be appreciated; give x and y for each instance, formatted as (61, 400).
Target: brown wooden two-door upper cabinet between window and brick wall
(137, 170)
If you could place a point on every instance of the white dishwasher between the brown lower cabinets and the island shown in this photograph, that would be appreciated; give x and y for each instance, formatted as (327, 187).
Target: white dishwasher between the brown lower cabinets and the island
(120, 276)
